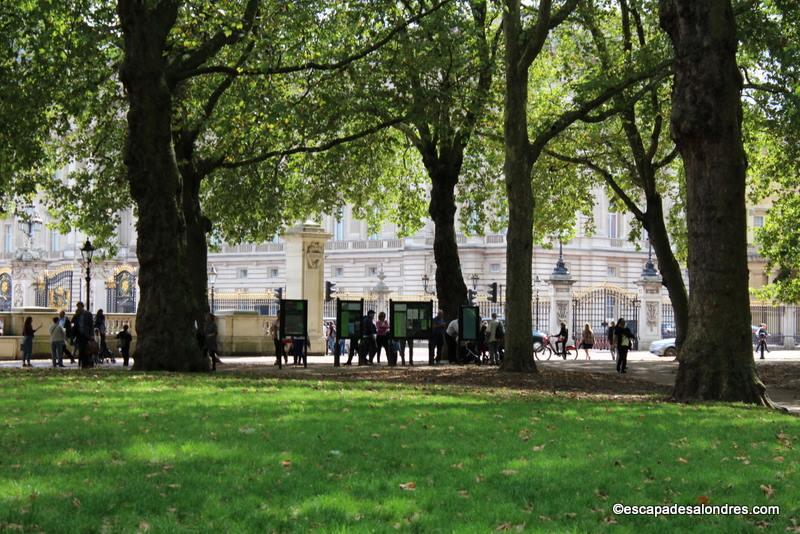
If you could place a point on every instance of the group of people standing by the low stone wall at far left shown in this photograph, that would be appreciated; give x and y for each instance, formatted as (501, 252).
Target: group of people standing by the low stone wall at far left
(84, 332)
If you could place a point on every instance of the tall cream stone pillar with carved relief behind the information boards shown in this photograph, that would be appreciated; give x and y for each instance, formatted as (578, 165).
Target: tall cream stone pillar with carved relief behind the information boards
(305, 275)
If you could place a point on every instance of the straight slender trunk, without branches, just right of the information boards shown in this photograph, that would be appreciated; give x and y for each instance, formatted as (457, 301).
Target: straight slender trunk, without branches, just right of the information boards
(517, 169)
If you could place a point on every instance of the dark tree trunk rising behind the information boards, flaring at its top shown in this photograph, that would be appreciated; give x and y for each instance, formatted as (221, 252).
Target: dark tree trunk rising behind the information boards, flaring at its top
(450, 288)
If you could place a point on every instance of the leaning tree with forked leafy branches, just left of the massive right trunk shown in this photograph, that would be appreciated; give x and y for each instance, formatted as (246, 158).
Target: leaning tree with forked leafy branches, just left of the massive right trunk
(634, 172)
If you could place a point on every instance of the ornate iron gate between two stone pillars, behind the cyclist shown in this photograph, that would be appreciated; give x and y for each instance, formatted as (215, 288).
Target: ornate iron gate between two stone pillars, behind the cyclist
(600, 305)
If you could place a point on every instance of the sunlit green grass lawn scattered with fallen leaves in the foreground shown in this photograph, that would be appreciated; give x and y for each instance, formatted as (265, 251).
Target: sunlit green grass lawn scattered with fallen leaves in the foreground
(116, 452)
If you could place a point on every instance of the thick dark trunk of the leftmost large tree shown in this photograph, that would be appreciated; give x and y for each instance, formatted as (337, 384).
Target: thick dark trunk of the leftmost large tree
(163, 321)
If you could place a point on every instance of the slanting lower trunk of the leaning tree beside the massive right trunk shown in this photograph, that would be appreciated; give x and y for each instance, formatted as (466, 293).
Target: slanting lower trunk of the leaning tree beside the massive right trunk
(668, 265)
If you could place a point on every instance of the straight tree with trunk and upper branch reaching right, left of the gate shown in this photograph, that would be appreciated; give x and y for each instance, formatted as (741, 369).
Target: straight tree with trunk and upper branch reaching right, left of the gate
(524, 42)
